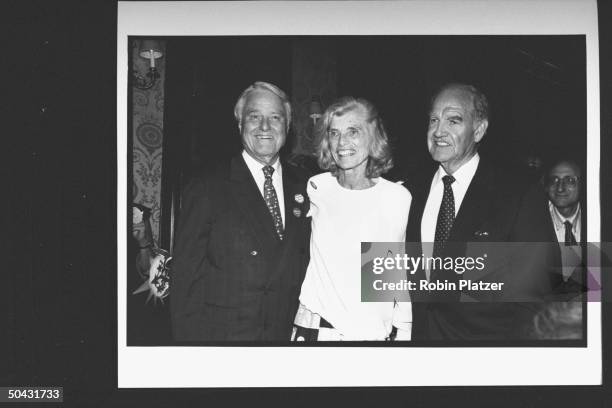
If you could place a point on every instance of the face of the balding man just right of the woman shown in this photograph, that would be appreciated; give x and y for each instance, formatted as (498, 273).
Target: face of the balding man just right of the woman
(453, 131)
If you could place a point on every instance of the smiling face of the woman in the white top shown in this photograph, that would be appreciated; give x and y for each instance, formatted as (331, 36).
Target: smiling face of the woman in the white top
(349, 140)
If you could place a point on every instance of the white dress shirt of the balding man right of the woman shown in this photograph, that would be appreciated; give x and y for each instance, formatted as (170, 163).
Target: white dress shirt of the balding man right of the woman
(463, 177)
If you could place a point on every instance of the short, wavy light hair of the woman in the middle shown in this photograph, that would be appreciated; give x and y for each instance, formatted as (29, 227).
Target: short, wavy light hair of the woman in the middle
(379, 158)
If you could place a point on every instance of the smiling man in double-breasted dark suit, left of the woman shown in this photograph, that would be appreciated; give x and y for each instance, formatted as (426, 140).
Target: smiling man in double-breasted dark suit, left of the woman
(242, 241)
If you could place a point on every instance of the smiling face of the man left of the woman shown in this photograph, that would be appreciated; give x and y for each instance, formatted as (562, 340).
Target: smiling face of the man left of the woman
(263, 127)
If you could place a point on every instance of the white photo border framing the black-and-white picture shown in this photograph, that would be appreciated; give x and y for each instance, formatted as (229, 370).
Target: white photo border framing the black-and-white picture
(187, 367)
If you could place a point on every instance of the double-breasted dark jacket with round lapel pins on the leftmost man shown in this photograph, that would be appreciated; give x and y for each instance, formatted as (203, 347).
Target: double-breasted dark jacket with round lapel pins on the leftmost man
(232, 278)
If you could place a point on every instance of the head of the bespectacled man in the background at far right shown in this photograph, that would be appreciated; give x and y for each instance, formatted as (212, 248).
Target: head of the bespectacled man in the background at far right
(563, 186)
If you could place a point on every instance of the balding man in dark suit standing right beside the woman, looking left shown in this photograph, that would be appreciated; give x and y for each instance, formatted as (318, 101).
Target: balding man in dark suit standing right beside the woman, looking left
(469, 200)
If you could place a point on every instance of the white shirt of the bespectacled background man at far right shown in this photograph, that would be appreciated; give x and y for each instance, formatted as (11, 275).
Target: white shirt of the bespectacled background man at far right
(571, 256)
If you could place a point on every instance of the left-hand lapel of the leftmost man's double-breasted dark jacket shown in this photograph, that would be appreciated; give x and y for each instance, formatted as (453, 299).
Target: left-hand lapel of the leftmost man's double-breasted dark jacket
(249, 200)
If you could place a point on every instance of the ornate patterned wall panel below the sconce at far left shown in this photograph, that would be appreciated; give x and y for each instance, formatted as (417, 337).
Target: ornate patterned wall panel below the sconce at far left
(148, 125)
